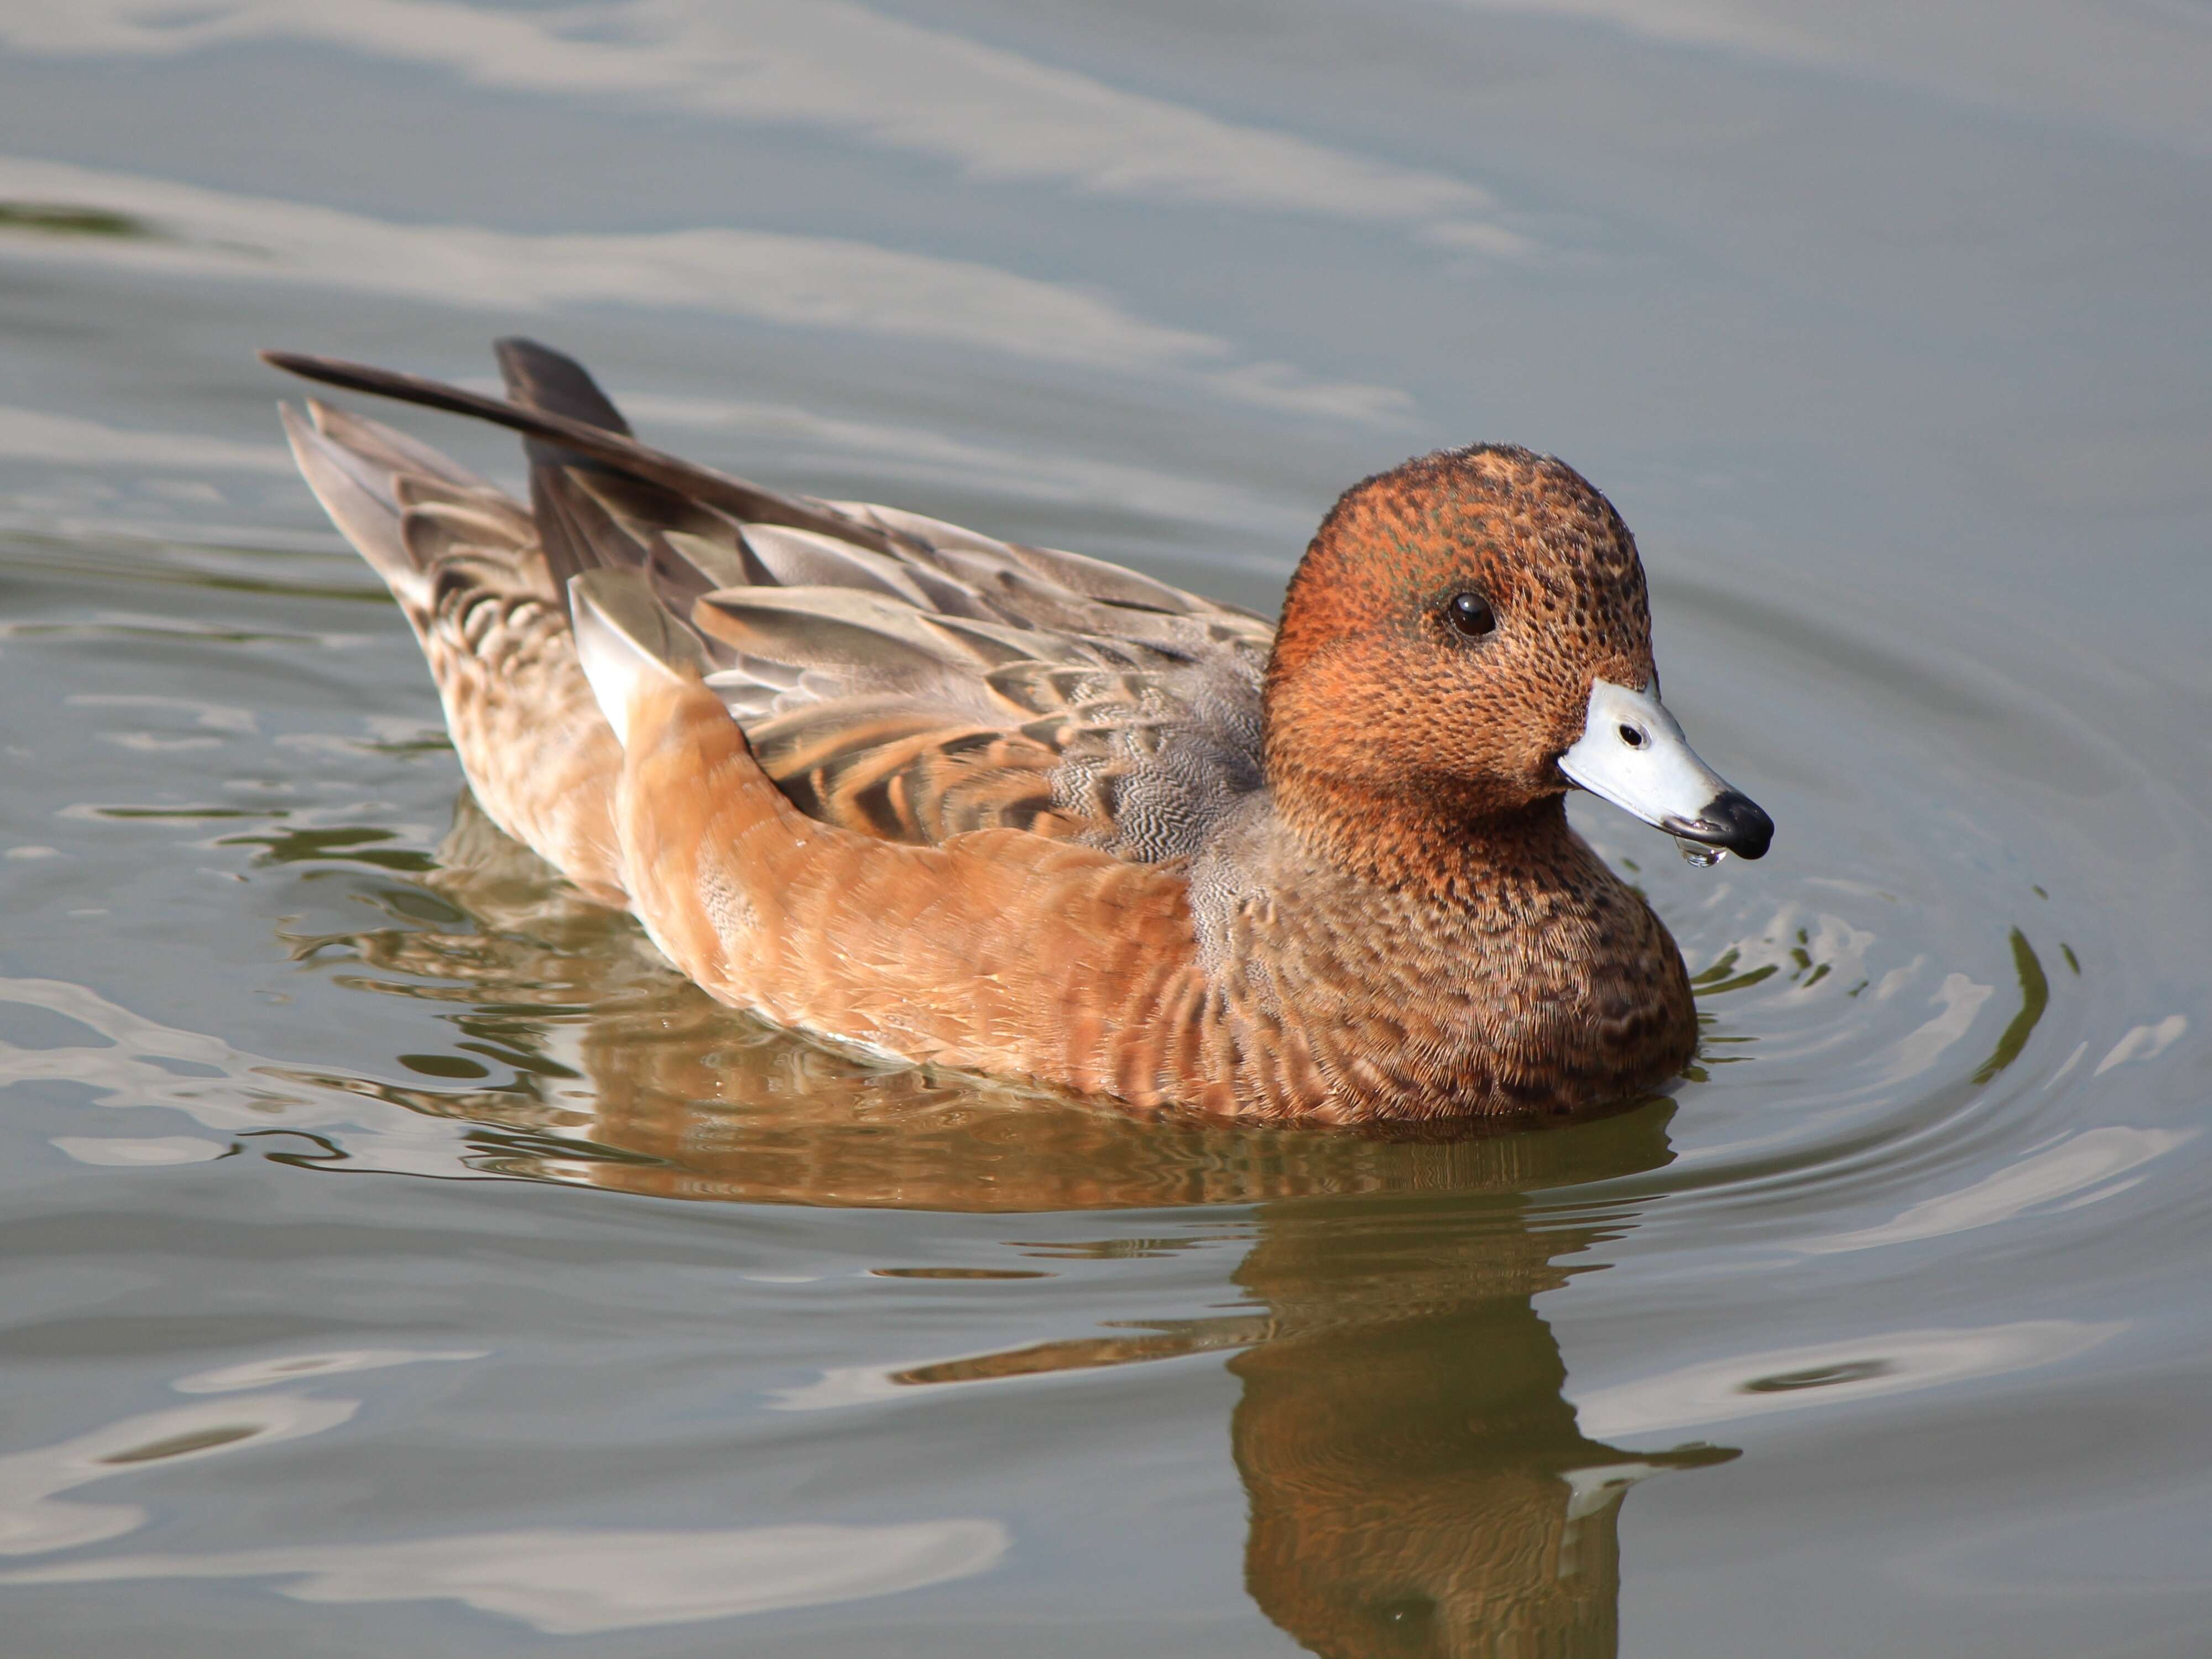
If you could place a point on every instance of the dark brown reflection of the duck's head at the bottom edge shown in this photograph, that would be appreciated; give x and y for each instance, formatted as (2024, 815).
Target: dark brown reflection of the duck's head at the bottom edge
(1417, 1479)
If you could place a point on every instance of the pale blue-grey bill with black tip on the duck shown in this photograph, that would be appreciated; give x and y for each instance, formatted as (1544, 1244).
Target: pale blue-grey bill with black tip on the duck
(1634, 755)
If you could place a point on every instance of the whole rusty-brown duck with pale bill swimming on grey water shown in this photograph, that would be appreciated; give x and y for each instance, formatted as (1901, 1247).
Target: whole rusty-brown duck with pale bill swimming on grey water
(1023, 813)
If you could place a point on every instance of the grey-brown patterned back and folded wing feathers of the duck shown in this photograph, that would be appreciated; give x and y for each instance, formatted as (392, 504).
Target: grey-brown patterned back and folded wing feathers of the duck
(926, 680)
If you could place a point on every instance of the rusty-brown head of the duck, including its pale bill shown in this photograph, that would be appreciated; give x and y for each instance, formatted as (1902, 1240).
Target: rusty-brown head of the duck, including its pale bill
(1468, 638)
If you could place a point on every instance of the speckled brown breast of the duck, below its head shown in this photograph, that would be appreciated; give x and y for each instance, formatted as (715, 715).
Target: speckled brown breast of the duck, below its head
(1421, 961)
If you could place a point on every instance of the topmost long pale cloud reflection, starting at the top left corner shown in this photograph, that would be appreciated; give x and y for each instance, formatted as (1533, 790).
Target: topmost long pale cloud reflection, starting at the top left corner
(831, 65)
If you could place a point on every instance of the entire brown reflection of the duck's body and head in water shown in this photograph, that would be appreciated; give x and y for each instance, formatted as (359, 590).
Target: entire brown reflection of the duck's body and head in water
(1415, 1474)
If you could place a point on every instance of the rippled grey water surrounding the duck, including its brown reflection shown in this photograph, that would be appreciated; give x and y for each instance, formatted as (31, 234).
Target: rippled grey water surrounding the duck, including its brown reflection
(399, 1258)
